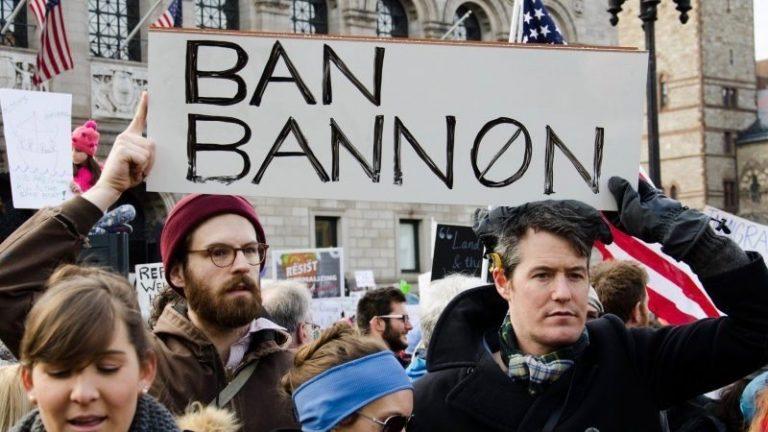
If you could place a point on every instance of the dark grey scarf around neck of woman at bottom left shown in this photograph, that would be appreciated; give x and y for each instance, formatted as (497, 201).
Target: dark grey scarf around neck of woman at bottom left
(150, 416)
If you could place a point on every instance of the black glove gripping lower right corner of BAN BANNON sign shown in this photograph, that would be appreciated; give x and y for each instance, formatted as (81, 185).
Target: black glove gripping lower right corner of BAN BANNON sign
(654, 218)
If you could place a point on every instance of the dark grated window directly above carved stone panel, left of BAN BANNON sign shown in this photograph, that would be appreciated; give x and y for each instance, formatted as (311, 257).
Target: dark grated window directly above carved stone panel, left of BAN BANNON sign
(109, 22)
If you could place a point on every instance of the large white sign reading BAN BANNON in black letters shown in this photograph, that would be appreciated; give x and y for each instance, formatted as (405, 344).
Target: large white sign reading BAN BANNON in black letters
(389, 120)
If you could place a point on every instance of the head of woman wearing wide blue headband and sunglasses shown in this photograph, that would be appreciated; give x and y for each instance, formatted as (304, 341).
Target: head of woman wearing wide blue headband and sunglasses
(346, 382)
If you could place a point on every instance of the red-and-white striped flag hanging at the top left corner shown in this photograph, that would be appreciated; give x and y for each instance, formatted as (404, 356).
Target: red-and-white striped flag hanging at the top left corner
(54, 56)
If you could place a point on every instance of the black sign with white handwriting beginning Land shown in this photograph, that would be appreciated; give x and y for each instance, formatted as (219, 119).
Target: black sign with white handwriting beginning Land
(456, 250)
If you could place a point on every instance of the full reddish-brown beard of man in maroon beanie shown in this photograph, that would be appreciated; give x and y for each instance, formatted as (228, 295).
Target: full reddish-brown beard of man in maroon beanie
(211, 305)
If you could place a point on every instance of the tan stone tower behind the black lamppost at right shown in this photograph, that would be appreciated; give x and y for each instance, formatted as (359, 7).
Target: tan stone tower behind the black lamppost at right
(707, 94)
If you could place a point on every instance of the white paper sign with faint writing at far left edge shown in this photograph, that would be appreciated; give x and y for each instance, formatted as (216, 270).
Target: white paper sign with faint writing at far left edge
(37, 129)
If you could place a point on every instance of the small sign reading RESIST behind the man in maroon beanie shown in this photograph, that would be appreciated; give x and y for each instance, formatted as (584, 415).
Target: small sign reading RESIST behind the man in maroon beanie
(321, 269)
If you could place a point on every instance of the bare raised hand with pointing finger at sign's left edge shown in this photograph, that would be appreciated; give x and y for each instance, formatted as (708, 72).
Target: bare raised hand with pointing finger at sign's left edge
(128, 163)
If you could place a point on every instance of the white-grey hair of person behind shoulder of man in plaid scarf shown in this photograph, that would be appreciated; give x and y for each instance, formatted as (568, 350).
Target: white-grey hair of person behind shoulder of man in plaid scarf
(436, 298)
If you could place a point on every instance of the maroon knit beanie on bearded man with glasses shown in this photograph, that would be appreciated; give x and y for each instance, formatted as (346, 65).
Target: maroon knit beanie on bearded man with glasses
(190, 212)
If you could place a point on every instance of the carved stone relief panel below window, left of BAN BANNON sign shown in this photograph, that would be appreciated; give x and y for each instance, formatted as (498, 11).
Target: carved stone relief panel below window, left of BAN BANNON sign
(115, 89)
